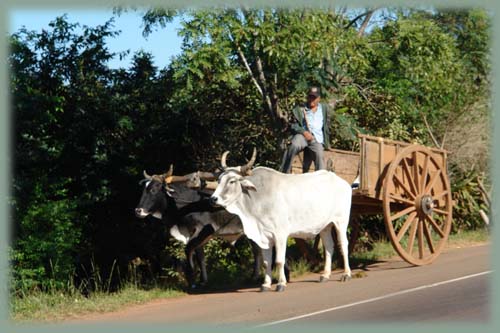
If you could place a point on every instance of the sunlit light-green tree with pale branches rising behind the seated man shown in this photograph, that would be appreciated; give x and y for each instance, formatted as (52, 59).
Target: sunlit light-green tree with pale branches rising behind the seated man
(280, 51)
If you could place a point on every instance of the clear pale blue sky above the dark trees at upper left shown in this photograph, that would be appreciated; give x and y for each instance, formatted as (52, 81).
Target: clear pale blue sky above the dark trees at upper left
(162, 44)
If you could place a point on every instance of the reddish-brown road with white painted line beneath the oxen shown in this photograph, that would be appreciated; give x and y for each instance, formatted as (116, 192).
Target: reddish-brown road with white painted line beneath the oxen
(454, 288)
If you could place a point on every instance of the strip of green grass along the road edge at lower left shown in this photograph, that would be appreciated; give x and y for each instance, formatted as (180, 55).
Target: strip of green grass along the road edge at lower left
(54, 307)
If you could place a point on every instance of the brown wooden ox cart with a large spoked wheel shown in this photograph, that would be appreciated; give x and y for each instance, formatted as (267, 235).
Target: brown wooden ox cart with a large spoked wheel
(406, 182)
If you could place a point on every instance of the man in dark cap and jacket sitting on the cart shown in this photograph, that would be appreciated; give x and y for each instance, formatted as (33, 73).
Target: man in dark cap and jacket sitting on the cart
(311, 133)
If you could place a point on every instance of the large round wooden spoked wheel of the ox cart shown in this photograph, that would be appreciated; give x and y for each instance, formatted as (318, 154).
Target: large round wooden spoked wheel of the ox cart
(417, 204)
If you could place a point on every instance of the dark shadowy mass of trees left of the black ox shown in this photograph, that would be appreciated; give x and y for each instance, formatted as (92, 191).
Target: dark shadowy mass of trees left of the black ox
(76, 125)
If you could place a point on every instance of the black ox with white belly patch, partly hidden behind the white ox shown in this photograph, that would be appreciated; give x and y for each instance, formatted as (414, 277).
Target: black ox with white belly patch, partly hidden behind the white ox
(190, 217)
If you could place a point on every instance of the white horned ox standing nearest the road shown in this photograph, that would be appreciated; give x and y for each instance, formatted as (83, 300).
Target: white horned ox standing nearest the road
(273, 206)
